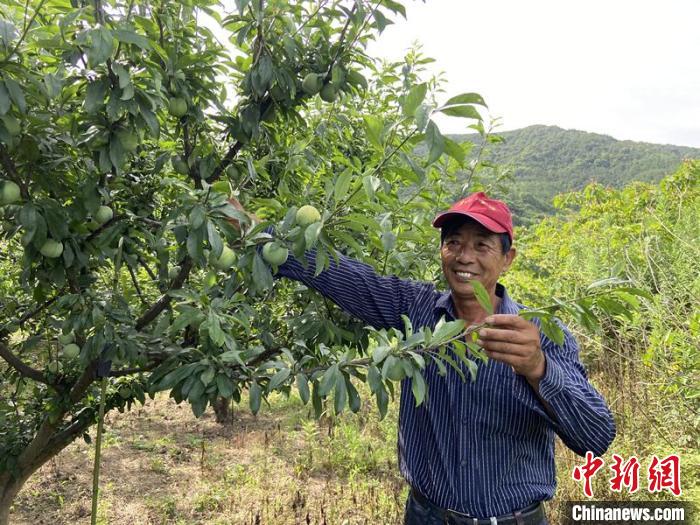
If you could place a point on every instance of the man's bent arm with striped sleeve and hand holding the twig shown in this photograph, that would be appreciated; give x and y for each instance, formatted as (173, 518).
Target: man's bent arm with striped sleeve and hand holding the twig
(552, 381)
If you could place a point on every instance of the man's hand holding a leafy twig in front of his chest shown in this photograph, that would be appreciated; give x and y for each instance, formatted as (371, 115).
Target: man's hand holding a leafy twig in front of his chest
(516, 342)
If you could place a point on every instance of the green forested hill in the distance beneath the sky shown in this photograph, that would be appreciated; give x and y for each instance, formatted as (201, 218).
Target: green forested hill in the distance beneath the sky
(548, 160)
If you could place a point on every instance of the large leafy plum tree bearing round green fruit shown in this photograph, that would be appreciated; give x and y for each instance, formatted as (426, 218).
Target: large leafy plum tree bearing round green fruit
(93, 88)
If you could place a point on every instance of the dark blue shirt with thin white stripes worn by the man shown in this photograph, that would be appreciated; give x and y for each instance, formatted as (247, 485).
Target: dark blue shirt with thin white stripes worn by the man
(484, 448)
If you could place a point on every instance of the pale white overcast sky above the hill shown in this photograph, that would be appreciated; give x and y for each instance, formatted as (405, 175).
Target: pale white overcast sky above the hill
(629, 69)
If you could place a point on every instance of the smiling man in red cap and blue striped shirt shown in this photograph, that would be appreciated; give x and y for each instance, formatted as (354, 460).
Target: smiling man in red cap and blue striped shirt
(479, 452)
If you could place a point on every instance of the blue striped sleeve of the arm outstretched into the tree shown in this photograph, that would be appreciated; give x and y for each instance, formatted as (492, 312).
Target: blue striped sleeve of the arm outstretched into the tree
(359, 290)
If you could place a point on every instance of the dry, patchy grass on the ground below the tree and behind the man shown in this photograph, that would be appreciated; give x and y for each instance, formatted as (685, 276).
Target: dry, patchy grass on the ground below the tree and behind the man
(163, 466)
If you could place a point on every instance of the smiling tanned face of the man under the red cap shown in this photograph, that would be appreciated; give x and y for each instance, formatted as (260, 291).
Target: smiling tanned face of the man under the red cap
(473, 253)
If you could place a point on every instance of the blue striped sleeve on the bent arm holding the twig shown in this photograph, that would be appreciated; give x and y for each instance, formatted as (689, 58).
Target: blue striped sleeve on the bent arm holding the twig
(583, 420)
